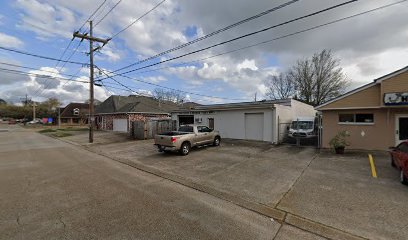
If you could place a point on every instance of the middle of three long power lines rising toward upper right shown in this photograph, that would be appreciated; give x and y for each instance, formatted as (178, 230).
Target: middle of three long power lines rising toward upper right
(242, 36)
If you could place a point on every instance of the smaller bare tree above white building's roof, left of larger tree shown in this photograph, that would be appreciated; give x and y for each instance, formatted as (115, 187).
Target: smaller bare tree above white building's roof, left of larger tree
(281, 86)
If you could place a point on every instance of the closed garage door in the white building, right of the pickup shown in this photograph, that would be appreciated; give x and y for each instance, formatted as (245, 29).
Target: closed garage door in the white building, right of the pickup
(254, 126)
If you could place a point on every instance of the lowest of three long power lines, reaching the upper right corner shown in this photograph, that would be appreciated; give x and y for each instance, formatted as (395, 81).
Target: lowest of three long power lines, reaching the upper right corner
(280, 37)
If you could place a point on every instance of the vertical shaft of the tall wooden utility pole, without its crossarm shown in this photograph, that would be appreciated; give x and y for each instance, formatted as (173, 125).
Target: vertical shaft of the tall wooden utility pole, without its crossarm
(91, 85)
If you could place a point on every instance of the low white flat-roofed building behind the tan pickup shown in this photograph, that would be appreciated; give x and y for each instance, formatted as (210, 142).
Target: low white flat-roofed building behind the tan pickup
(263, 121)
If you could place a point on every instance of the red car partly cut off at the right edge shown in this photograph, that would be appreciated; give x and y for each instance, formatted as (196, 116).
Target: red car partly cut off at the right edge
(399, 160)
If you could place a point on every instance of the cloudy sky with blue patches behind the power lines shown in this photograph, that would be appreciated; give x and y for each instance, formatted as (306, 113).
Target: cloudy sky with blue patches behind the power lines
(369, 46)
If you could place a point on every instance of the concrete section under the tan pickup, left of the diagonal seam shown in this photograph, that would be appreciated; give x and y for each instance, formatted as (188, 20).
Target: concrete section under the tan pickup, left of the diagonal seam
(254, 171)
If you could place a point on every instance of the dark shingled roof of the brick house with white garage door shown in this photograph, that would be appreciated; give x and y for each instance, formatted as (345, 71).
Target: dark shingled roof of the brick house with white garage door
(132, 103)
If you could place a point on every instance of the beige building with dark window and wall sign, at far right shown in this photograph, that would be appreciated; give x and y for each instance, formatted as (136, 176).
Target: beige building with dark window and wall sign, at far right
(375, 115)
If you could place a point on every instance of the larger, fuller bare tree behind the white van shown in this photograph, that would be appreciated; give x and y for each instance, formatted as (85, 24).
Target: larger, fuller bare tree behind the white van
(318, 79)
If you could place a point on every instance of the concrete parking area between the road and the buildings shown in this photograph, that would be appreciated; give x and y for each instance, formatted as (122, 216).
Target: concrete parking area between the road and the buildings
(316, 191)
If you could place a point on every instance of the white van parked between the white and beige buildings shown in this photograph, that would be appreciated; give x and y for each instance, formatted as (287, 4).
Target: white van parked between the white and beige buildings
(303, 127)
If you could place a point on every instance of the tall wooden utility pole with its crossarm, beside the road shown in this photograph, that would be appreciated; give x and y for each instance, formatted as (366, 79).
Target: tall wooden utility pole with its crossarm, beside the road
(91, 39)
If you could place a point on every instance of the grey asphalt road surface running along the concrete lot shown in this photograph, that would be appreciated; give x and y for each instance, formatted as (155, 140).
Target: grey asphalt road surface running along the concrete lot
(54, 190)
